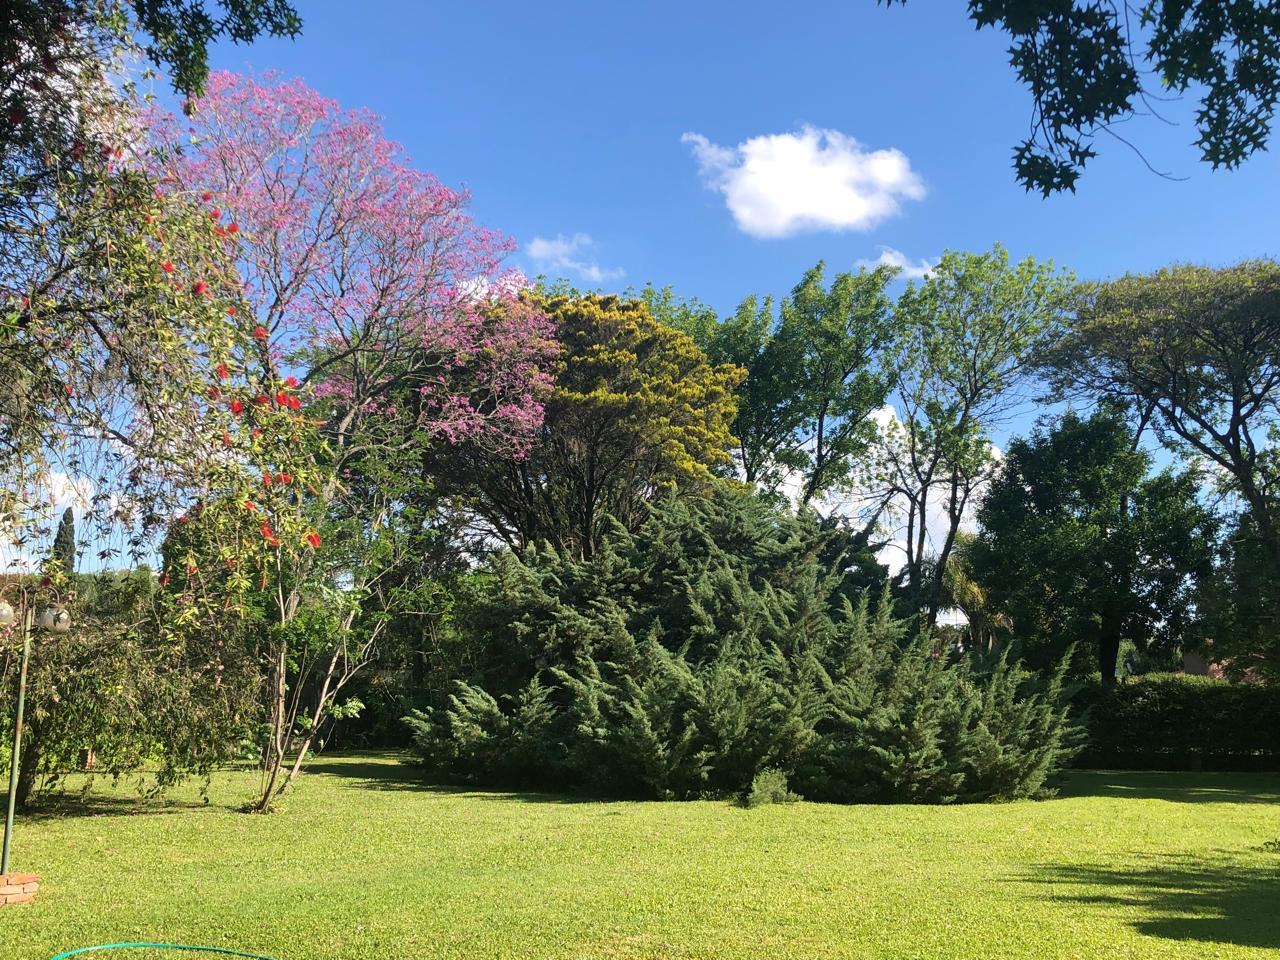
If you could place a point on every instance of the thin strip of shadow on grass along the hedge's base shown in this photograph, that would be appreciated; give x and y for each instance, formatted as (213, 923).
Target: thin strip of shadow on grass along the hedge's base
(1174, 787)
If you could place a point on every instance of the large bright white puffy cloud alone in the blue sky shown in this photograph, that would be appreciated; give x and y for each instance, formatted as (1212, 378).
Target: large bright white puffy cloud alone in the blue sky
(816, 180)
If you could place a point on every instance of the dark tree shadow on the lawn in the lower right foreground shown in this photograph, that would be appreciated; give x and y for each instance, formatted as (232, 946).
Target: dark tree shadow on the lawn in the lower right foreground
(1213, 899)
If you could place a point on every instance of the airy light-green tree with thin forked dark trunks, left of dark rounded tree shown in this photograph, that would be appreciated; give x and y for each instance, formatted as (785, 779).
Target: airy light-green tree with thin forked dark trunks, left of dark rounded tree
(970, 332)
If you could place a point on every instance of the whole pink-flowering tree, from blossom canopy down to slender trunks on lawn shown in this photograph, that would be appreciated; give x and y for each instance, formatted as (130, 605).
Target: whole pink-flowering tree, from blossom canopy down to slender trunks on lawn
(380, 322)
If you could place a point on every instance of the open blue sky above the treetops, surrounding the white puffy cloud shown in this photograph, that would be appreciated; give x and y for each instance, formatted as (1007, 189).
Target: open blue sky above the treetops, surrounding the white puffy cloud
(569, 120)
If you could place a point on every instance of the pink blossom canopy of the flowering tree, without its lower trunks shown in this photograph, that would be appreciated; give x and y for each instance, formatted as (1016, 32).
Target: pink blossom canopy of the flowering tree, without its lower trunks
(364, 275)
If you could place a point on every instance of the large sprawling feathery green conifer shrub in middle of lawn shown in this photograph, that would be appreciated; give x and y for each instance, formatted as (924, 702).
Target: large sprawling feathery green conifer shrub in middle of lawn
(716, 643)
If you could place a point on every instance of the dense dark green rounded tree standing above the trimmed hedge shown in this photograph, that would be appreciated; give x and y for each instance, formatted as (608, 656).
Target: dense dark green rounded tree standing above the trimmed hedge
(1082, 546)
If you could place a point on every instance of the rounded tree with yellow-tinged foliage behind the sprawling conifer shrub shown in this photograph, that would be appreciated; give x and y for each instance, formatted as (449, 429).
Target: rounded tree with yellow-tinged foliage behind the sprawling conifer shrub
(637, 410)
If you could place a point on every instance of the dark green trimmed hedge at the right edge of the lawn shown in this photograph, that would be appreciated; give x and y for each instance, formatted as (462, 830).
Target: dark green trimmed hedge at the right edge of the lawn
(1178, 723)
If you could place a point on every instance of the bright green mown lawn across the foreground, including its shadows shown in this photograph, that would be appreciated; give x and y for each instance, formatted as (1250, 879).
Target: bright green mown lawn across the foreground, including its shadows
(367, 862)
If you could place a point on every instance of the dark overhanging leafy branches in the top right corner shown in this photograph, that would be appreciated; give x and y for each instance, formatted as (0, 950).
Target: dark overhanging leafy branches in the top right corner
(1091, 66)
